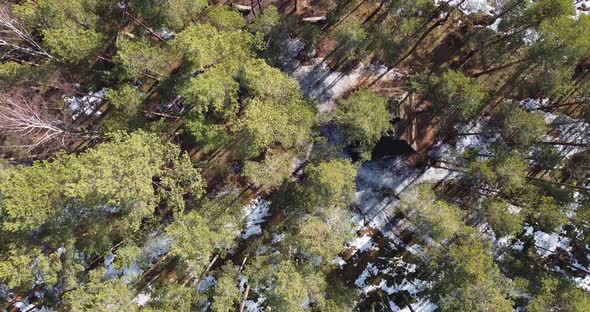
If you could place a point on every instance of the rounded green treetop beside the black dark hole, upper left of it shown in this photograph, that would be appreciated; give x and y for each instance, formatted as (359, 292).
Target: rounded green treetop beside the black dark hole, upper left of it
(365, 118)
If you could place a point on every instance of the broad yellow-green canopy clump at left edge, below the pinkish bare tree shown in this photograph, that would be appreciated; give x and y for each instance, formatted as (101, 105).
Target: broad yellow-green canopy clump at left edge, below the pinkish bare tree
(74, 192)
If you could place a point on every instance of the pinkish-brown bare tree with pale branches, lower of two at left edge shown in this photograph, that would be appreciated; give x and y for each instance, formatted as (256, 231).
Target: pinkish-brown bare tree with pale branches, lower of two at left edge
(33, 124)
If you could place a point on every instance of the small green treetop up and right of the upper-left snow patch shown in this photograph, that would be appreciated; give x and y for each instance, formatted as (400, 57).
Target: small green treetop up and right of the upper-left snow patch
(140, 58)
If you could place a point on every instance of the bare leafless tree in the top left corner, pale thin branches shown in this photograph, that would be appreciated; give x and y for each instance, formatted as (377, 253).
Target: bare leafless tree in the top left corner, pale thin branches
(17, 39)
